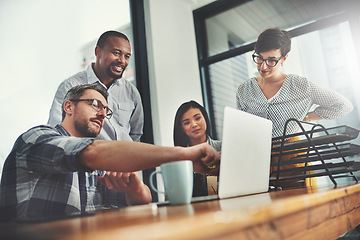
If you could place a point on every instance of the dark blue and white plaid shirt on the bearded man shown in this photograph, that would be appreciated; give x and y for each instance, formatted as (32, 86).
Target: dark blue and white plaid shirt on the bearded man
(43, 178)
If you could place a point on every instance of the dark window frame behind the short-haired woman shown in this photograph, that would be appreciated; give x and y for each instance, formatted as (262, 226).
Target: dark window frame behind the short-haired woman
(200, 15)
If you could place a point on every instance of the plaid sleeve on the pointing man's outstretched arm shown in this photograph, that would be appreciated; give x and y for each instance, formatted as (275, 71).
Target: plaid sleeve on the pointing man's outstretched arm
(44, 150)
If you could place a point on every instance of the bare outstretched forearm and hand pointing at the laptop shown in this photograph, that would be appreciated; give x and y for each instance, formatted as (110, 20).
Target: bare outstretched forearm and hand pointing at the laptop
(123, 156)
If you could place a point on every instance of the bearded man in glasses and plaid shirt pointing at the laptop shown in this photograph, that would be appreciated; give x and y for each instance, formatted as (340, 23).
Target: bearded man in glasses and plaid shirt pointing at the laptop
(55, 172)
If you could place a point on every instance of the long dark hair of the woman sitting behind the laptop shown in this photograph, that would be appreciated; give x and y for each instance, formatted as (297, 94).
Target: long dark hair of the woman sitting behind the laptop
(180, 137)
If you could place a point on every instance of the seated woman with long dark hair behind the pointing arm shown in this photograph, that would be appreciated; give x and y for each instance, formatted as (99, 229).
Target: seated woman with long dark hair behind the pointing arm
(191, 127)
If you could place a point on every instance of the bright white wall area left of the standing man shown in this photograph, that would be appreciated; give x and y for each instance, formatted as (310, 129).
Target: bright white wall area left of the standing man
(39, 47)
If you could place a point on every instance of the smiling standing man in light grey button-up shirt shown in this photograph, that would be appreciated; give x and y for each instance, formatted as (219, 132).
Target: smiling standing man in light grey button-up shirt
(113, 52)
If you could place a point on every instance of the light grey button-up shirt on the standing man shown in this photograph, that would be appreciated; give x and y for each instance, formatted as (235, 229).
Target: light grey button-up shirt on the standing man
(124, 100)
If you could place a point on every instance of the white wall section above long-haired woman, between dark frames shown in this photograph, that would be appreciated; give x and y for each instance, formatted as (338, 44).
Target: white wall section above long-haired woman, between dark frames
(173, 64)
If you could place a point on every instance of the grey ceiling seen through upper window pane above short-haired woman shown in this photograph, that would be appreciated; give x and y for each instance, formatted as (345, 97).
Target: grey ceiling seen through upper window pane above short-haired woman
(244, 23)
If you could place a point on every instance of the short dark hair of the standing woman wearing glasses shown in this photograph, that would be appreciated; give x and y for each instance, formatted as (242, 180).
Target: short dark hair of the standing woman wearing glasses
(273, 38)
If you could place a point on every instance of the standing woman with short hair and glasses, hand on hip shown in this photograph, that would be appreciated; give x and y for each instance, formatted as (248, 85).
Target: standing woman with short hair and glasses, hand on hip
(279, 96)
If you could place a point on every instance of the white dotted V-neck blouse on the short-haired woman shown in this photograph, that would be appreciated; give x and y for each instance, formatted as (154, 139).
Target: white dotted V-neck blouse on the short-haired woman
(294, 99)
